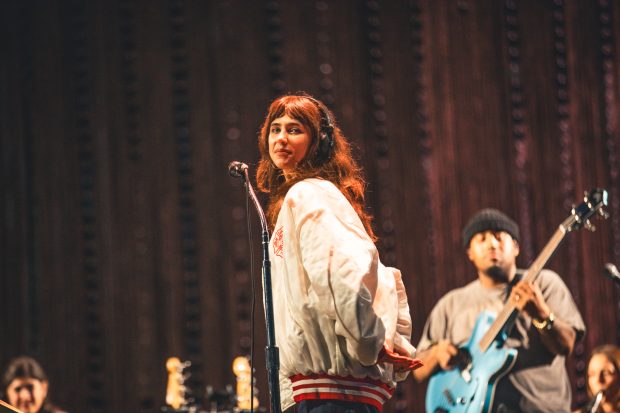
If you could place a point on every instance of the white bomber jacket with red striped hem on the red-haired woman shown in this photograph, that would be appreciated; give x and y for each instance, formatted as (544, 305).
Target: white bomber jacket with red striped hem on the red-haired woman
(335, 304)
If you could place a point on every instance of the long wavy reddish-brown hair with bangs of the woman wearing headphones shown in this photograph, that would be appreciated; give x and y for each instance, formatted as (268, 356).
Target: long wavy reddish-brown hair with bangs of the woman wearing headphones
(339, 168)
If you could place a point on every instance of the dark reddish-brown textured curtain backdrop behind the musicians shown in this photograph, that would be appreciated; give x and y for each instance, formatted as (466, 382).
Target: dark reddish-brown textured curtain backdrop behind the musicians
(124, 241)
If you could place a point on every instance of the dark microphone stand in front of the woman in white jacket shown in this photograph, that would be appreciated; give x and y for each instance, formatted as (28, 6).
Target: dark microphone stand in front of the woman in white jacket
(271, 350)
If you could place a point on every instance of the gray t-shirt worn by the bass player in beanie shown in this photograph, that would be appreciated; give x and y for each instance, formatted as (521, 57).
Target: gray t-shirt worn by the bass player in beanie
(538, 382)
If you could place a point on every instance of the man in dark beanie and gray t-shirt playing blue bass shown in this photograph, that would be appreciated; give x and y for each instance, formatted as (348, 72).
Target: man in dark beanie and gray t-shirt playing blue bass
(545, 331)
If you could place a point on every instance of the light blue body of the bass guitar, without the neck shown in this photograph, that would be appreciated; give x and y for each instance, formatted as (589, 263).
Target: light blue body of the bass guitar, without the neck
(470, 387)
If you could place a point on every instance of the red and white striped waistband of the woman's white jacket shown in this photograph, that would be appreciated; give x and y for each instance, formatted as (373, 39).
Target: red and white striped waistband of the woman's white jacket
(325, 386)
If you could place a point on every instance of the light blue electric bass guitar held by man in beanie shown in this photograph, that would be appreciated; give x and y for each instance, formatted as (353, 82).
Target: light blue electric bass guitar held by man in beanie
(470, 387)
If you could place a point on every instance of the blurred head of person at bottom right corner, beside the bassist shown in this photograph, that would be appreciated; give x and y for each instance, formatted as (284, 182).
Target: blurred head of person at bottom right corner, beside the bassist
(604, 376)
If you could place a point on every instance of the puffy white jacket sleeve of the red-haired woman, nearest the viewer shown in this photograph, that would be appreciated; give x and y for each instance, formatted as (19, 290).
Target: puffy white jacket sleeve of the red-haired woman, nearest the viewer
(342, 265)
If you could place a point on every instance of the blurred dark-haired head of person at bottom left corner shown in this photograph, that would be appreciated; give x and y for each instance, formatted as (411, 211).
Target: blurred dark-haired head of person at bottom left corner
(25, 385)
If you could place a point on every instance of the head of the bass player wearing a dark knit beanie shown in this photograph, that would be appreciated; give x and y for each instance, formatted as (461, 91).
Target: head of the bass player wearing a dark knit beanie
(491, 240)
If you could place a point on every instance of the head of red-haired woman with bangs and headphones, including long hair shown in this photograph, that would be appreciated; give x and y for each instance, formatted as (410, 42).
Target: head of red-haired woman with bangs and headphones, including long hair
(300, 139)
